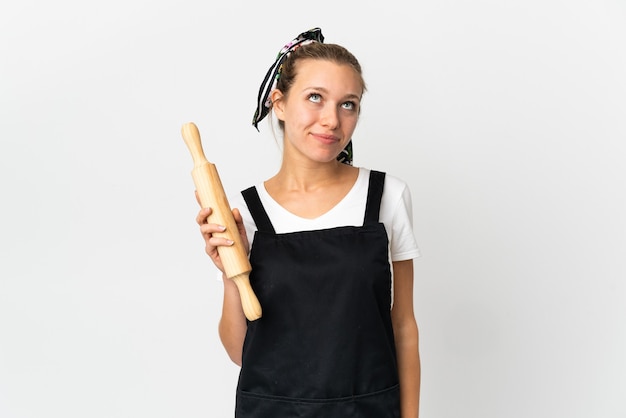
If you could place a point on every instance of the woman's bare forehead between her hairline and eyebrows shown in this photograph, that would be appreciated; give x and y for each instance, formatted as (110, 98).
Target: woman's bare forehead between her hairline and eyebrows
(329, 75)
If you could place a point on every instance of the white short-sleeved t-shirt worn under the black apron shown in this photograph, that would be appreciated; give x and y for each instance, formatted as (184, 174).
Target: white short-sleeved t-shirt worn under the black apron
(396, 214)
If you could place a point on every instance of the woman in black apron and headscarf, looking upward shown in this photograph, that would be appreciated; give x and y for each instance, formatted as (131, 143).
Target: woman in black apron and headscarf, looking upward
(332, 253)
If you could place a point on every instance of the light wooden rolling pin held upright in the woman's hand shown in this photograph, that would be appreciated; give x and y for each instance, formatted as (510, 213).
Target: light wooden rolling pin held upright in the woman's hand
(211, 194)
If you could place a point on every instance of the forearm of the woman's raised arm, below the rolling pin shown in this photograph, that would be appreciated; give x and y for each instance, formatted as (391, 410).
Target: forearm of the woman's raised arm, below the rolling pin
(232, 326)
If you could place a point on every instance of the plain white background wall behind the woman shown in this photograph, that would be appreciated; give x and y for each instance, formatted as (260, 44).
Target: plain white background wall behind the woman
(506, 118)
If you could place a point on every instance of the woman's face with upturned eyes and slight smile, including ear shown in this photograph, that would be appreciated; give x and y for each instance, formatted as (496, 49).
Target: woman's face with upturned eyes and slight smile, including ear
(321, 111)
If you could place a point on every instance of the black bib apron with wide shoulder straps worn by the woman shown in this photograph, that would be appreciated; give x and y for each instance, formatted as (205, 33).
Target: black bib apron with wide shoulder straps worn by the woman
(324, 346)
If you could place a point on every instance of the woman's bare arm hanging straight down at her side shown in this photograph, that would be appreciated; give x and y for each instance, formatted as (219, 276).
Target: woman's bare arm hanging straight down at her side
(406, 338)
